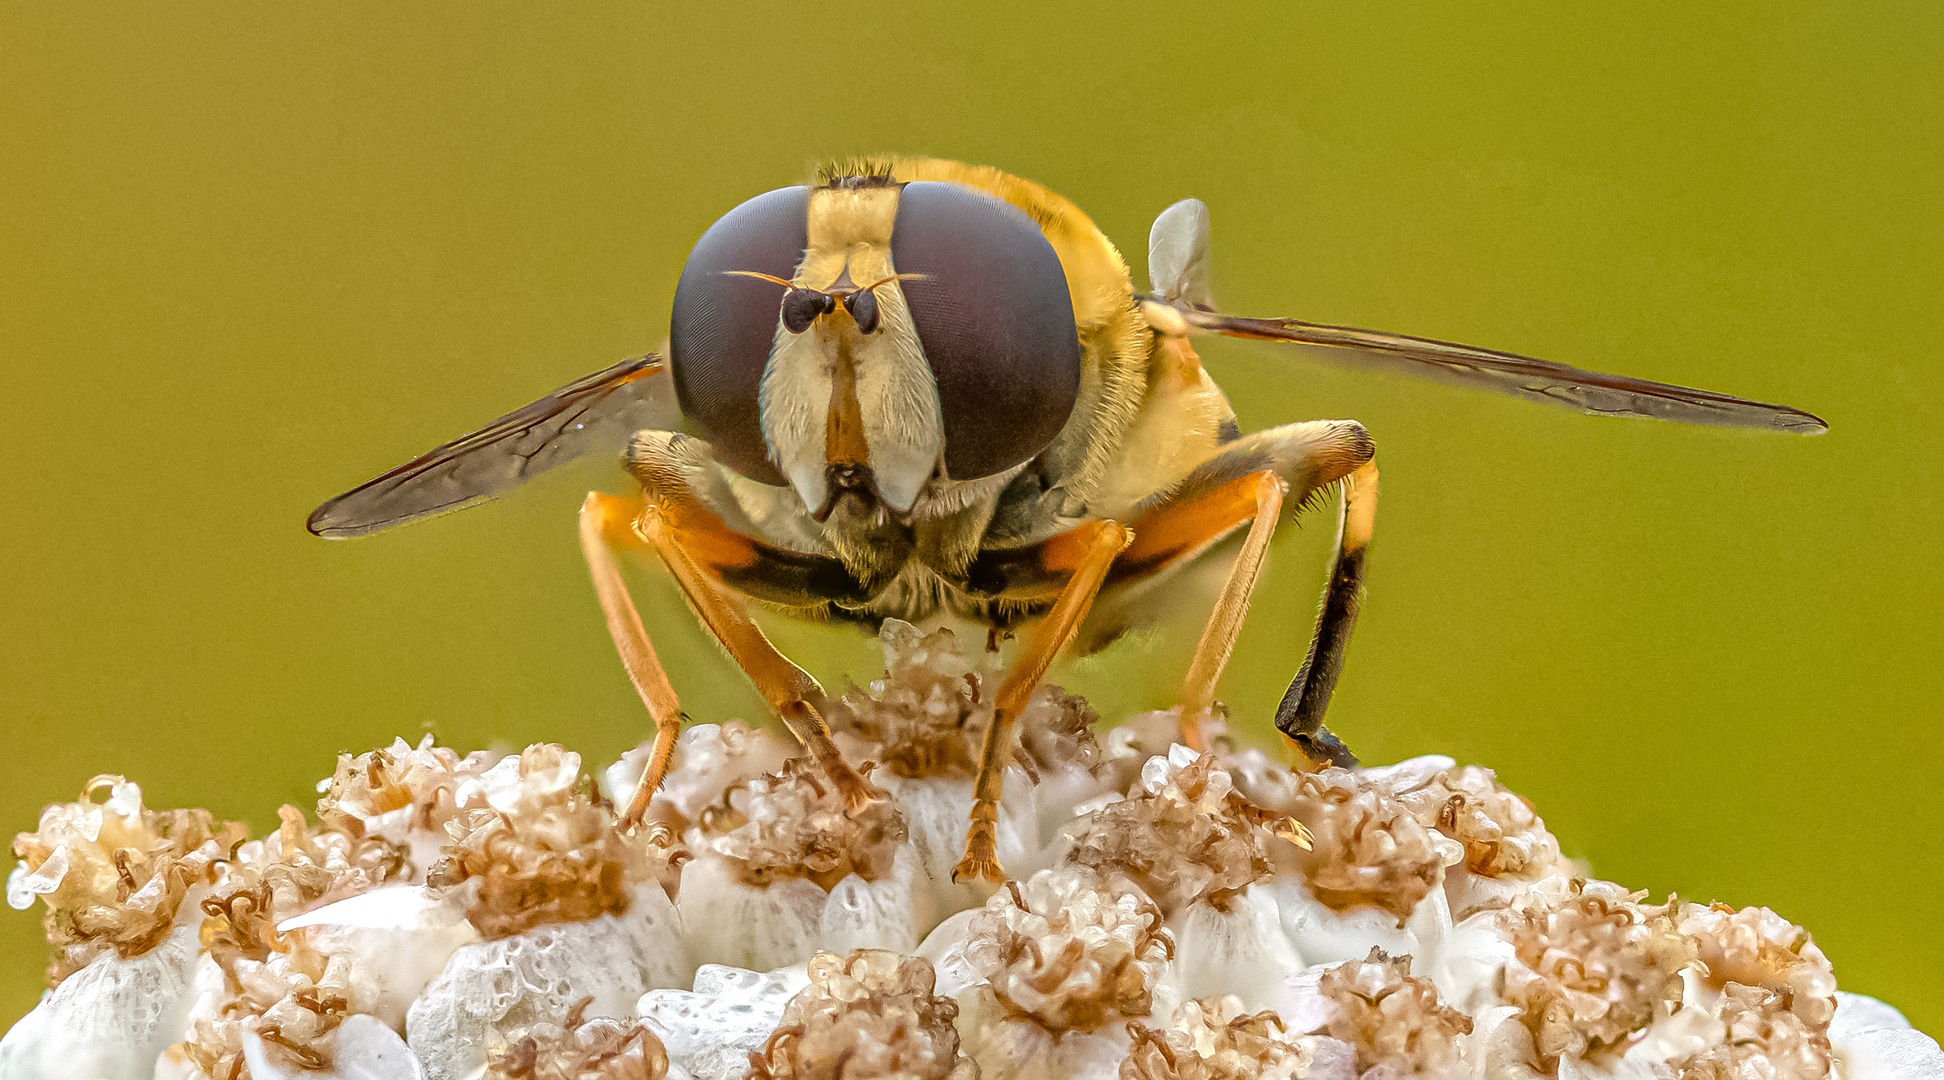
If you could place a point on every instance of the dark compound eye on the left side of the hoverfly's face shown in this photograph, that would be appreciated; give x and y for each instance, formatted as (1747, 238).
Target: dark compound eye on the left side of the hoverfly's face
(724, 325)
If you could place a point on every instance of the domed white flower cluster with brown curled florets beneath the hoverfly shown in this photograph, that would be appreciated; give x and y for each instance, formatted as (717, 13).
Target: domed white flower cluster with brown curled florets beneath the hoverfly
(1173, 916)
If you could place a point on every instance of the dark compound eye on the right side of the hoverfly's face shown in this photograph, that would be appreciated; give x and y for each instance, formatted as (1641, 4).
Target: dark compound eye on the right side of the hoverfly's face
(996, 321)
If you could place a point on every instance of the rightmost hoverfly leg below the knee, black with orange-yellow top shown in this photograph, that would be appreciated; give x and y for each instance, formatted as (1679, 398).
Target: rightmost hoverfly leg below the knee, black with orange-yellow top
(1302, 714)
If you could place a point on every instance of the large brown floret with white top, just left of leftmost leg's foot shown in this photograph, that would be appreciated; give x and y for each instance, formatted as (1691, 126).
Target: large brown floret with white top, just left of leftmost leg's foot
(543, 850)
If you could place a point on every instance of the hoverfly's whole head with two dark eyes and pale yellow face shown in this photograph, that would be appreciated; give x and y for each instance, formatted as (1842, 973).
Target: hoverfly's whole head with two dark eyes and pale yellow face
(868, 343)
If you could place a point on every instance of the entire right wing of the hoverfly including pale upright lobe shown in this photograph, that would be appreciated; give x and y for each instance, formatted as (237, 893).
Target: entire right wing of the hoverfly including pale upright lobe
(1179, 267)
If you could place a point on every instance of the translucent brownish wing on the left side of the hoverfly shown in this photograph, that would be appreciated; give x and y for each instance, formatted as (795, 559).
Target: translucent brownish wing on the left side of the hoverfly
(588, 417)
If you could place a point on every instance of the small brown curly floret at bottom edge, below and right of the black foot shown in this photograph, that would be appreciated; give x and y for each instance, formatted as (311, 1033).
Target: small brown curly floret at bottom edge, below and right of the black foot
(1391, 1017)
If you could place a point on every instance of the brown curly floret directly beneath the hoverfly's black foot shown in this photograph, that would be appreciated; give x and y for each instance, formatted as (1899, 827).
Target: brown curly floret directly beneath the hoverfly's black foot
(1368, 848)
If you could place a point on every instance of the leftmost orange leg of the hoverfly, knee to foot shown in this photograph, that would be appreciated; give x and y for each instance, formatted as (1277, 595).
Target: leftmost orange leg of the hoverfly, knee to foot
(607, 525)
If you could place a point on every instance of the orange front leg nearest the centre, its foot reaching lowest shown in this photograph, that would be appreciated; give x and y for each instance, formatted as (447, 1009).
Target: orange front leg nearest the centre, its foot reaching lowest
(1086, 553)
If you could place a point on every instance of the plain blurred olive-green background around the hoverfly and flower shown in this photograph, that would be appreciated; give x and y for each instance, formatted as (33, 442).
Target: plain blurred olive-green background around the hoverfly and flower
(256, 253)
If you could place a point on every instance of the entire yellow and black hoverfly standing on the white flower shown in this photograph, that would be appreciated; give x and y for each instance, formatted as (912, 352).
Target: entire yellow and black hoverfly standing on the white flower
(930, 389)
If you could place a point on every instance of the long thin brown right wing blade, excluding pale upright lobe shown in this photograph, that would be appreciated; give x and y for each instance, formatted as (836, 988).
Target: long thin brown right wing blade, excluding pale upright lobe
(1521, 376)
